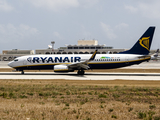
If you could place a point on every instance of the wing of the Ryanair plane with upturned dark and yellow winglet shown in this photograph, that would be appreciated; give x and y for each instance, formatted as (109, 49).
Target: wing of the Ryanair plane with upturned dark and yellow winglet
(82, 64)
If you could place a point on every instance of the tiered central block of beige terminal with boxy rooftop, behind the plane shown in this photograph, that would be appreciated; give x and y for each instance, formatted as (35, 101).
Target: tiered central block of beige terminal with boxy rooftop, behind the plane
(83, 47)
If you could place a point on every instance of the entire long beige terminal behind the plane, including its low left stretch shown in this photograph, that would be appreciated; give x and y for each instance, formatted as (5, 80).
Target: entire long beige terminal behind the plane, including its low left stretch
(83, 47)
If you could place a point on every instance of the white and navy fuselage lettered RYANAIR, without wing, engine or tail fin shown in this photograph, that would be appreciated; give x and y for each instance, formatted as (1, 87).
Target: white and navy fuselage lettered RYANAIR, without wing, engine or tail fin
(101, 61)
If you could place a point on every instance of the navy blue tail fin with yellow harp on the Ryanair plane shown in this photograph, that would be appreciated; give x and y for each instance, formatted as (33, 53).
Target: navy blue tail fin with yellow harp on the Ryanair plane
(142, 46)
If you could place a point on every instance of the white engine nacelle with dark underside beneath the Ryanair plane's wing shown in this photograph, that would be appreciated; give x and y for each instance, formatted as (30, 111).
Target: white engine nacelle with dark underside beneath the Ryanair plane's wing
(62, 68)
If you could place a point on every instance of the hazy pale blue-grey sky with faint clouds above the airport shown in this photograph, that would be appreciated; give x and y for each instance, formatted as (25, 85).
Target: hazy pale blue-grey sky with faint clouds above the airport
(33, 24)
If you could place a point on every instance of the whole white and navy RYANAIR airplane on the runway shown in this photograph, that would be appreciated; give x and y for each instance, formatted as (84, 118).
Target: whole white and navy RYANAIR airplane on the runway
(69, 63)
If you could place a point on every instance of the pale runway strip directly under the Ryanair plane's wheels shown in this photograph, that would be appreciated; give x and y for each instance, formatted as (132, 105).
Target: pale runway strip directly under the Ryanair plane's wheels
(74, 76)
